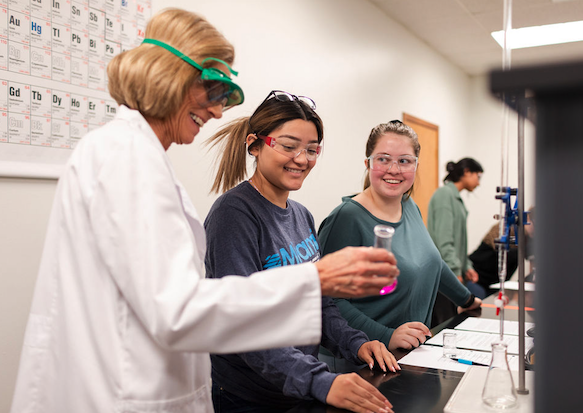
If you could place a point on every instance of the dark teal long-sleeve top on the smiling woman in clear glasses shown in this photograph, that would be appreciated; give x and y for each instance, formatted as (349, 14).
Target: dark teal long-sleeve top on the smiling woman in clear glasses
(422, 271)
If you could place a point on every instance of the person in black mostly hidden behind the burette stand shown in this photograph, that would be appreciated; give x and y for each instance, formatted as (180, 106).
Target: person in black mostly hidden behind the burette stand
(485, 257)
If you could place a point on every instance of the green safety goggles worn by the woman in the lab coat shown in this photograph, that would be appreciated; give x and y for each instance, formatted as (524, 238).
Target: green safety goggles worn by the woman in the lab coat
(220, 89)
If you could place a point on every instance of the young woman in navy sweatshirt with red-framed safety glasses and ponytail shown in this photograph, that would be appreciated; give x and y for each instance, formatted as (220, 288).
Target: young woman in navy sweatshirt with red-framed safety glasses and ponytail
(255, 226)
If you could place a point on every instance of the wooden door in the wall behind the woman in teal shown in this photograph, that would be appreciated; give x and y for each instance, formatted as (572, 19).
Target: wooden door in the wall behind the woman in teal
(427, 177)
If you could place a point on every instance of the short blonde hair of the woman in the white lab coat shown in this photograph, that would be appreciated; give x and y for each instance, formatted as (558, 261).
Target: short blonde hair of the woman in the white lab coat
(152, 80)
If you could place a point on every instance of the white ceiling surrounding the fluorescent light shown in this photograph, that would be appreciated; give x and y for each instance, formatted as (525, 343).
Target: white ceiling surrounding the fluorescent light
(460, 29)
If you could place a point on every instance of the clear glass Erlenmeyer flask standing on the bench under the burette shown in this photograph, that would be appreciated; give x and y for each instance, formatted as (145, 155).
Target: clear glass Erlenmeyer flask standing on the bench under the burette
(499, 392)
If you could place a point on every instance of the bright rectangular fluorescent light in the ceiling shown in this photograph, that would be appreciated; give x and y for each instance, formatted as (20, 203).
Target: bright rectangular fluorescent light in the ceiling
(541, 35)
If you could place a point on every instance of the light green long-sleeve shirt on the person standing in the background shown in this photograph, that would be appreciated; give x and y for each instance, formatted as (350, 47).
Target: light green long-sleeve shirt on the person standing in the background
(446, 222)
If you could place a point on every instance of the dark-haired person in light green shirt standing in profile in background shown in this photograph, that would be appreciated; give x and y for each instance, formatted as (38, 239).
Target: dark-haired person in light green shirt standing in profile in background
(446, 222)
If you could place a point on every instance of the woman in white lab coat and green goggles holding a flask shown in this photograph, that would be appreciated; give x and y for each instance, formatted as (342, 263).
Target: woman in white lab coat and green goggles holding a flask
(122, 319)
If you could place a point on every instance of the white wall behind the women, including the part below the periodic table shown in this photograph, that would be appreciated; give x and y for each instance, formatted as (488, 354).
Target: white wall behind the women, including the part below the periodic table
(359, 66)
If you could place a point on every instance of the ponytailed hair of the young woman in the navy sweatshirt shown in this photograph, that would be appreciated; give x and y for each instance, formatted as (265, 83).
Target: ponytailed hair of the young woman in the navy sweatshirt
(269, 116)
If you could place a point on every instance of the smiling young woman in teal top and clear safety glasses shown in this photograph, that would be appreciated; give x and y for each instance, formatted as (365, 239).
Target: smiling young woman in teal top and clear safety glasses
(398, 319)
